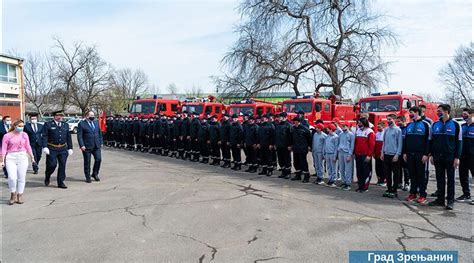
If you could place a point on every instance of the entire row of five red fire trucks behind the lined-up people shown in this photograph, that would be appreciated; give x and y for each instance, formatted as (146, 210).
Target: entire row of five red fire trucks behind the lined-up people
(378, 106)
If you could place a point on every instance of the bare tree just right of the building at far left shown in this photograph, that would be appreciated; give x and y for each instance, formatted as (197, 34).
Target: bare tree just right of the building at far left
(39, 80)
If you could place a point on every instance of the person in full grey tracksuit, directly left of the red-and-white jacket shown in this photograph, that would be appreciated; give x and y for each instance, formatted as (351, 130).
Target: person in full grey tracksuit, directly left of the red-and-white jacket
(346, 156)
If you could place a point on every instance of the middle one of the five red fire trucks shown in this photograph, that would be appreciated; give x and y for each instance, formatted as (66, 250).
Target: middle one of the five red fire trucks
(253, 107)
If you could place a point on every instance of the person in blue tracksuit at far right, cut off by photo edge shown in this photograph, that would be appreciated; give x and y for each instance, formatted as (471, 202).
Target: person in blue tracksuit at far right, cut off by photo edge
(467, 157)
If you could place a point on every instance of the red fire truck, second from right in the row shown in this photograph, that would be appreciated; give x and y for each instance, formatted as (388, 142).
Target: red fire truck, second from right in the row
(316, 108)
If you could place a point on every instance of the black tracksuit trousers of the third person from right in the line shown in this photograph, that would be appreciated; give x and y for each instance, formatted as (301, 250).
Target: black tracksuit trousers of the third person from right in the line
(416, 169)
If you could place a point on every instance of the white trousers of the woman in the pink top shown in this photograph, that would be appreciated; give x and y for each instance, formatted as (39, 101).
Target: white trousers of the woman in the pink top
(17, 165)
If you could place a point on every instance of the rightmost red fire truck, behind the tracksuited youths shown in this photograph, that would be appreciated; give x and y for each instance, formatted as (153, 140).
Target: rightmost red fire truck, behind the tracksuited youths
(380, 105)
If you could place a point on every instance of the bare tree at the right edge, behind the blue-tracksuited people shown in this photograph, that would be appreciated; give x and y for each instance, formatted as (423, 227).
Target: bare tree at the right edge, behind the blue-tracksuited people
(458, 77)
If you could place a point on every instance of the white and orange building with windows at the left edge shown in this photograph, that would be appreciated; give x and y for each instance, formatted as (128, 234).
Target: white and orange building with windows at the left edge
(11, 87)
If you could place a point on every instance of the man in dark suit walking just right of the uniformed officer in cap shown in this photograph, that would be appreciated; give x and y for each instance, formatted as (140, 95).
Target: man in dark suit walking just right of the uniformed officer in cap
(89, 137)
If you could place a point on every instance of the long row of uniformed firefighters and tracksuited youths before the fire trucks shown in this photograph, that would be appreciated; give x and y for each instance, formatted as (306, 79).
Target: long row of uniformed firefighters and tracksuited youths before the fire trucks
(398, 149)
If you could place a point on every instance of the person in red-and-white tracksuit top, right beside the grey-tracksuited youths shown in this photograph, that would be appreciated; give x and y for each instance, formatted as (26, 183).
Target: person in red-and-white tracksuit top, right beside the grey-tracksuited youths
(363, 151)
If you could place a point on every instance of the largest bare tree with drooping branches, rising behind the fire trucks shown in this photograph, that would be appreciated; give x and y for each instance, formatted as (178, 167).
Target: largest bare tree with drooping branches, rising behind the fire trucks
(281, 41)
